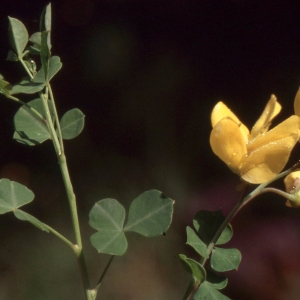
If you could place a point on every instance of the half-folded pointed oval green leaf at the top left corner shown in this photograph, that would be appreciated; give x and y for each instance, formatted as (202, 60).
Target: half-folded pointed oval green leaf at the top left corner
(18, 36)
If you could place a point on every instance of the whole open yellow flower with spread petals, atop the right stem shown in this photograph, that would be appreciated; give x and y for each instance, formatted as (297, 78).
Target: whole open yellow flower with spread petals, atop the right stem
(257, 156)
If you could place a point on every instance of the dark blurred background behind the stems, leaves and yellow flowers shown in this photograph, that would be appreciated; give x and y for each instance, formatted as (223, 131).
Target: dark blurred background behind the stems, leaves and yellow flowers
(147, 74)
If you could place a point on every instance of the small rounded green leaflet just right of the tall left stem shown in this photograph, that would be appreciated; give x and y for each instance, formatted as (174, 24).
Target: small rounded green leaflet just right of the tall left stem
(72, 123)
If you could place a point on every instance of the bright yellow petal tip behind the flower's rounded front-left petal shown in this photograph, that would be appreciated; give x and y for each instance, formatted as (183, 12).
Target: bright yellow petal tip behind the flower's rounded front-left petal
(221, 111)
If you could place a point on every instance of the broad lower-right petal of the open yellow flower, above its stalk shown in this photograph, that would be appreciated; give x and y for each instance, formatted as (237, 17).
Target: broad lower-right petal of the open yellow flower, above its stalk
(269, 153)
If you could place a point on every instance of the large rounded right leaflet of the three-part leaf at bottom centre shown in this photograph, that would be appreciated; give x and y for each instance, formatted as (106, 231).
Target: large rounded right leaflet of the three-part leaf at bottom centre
(150, 214)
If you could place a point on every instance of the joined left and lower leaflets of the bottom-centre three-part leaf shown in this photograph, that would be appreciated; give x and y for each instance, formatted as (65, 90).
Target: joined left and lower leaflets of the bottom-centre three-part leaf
(107, 216)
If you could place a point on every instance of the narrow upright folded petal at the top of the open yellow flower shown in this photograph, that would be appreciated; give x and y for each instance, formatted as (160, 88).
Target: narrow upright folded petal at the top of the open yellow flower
(262, 125)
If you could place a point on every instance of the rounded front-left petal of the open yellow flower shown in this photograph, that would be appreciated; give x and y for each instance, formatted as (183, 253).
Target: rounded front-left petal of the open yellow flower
(228, 143)
